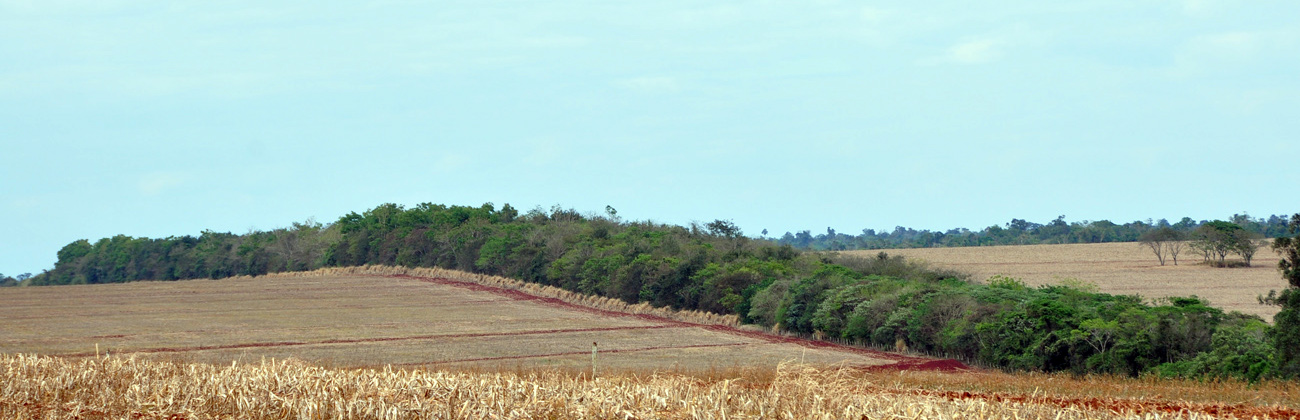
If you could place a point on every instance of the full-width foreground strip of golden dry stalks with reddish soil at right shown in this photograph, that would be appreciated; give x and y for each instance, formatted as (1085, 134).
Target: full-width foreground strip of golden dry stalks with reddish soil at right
(133, 388)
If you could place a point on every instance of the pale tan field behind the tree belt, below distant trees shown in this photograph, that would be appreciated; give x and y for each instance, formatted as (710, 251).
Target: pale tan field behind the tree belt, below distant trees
(1117, 269)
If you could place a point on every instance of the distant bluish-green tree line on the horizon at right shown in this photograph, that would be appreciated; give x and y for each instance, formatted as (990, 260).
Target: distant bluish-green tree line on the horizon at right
(1019, 232)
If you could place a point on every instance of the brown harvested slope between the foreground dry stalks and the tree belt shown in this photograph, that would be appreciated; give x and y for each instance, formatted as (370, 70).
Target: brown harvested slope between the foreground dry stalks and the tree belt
(382, 317)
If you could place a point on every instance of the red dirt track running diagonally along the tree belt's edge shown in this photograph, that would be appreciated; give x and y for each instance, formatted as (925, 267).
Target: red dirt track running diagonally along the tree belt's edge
(903, 362)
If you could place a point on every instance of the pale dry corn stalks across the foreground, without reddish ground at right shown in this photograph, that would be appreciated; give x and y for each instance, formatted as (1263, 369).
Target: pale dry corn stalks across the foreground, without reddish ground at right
(132, 388)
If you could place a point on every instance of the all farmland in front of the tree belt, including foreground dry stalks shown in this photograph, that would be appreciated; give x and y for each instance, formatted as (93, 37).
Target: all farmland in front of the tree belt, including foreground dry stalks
(427, 344)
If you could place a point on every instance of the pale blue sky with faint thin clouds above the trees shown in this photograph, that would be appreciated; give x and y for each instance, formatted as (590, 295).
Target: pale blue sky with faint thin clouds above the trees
(159, 119)
